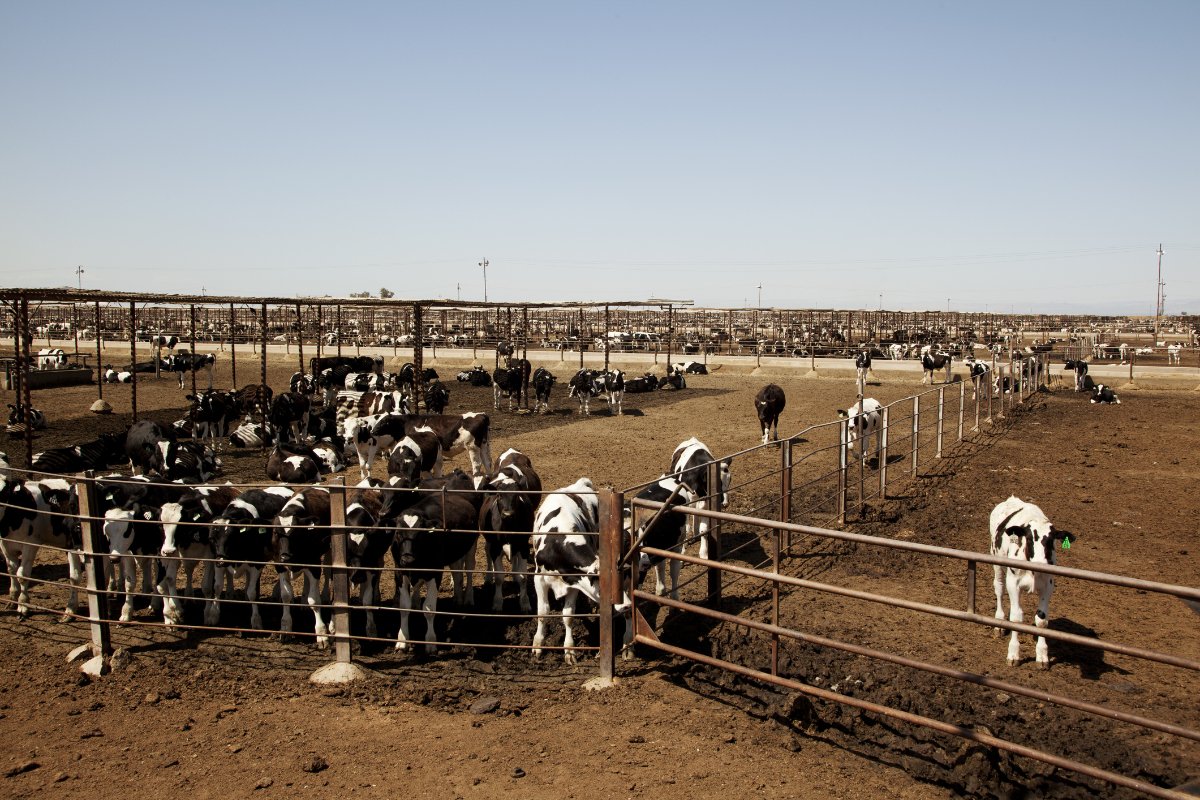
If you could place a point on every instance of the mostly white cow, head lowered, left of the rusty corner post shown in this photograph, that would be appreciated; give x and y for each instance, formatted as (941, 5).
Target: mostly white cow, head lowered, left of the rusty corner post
(566, 557)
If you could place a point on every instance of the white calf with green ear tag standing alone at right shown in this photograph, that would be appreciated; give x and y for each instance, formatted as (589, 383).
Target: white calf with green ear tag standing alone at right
(1022, 532)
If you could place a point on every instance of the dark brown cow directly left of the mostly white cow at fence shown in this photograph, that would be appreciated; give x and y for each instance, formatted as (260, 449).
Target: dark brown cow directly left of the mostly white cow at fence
(507, 521)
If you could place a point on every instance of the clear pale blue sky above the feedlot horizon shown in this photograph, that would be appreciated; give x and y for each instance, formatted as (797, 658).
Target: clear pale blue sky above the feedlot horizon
(1000, 155)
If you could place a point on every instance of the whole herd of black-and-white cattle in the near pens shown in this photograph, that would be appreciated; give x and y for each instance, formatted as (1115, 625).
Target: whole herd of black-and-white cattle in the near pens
(166, 516)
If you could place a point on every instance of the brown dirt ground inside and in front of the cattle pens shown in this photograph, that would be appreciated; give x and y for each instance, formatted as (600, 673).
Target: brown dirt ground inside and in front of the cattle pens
(225, 717)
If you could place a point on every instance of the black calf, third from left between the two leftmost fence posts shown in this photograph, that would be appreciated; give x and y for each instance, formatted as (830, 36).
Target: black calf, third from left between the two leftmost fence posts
(242, 544)
